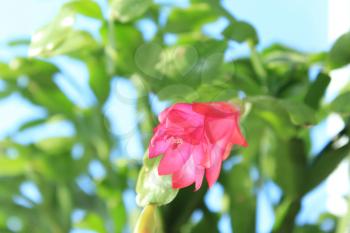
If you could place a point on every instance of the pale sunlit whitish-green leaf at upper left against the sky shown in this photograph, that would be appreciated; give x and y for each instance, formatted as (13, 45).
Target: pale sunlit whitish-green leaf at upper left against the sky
(59, 37)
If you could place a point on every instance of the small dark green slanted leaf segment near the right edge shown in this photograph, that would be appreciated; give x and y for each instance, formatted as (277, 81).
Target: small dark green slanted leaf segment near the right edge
(317, 90)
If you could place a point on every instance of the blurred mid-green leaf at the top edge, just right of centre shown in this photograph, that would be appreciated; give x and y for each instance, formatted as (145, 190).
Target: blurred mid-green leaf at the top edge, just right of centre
(190, 19)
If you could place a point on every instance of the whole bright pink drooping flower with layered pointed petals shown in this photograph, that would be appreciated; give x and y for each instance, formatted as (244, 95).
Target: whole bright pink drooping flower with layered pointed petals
(194, 139)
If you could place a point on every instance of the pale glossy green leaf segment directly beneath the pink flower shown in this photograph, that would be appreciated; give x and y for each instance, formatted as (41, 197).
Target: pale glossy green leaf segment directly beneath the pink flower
(151, 188)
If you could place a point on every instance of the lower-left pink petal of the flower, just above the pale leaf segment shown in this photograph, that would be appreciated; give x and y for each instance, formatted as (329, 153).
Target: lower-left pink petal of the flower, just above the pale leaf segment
(174, 159)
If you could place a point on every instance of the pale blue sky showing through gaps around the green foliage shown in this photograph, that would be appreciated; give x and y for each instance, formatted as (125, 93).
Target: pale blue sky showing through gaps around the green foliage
(297, 23)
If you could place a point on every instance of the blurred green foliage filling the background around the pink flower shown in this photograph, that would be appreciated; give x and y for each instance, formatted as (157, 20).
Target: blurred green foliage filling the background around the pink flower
(279, 99)
